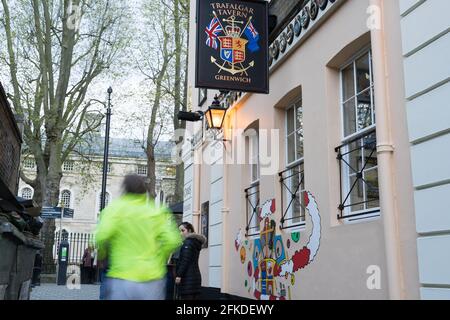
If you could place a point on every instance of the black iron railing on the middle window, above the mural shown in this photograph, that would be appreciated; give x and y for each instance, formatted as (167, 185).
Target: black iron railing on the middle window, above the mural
(291, 181)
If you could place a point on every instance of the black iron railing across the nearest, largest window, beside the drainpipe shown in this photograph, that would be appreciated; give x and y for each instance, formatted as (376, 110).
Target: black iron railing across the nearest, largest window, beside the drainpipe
(357, 157)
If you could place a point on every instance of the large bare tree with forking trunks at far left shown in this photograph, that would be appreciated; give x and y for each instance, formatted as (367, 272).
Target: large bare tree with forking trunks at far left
(54, 55)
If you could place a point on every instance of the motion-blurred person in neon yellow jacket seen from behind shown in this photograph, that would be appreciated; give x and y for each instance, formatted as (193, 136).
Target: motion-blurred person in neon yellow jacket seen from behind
(138, 237)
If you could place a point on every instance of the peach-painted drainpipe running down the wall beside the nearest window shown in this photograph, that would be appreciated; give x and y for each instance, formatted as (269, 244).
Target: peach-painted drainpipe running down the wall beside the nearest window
(385, 151)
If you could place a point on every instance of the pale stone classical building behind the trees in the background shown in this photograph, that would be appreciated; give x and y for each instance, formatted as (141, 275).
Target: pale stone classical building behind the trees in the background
(80, 186)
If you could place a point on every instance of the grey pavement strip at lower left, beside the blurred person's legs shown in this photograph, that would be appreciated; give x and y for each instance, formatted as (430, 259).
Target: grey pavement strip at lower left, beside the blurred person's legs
(48, 291)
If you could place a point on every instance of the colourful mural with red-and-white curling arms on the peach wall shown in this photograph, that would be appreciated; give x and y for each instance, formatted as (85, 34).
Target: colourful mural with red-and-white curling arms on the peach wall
(270, 268)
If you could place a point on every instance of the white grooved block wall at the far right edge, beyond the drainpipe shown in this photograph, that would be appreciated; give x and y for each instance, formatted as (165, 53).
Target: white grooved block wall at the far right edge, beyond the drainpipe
(426, 47)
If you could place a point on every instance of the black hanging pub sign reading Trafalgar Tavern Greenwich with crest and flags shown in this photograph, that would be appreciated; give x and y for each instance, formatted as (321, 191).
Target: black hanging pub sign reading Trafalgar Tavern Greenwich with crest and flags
(232, 45)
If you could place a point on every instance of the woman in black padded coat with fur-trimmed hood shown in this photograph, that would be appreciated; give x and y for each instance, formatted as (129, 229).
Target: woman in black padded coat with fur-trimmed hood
(188, 277)
